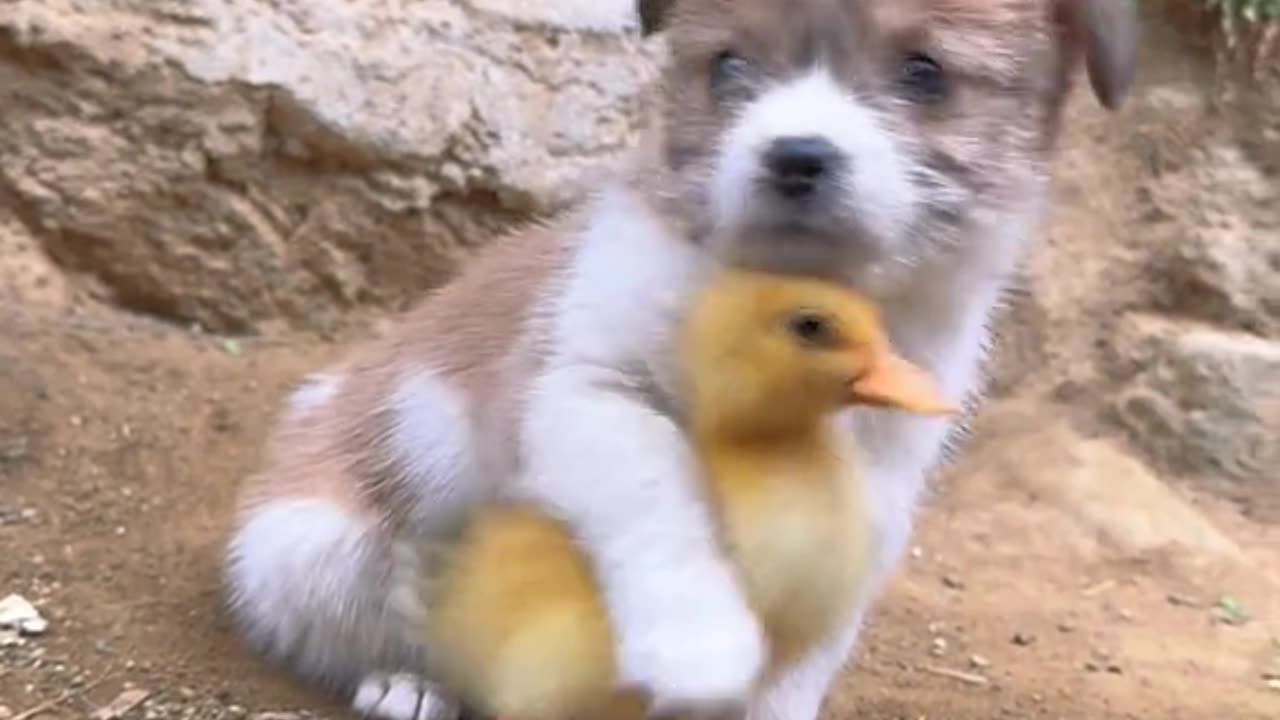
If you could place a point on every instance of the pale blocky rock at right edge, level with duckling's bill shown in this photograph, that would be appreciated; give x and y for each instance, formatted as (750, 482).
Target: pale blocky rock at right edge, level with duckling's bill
(1200, 399)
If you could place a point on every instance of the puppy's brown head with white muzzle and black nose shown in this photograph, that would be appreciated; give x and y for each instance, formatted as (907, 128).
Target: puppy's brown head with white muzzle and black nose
(868, 139)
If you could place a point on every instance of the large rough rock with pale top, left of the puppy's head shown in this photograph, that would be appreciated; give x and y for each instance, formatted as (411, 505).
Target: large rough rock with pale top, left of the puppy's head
(236, 163)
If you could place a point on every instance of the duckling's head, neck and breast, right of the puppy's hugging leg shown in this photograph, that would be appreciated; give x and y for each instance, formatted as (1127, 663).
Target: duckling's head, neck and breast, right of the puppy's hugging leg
(769, 366)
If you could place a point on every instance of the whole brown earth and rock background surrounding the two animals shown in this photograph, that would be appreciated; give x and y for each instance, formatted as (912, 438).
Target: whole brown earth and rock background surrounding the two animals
(200, 199)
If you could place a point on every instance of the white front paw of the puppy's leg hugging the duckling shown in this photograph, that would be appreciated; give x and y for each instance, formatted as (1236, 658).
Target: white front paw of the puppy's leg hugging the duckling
(702, 662)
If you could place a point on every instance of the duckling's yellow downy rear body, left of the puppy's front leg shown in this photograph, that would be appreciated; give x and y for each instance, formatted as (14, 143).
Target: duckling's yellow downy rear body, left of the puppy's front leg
(516, 626)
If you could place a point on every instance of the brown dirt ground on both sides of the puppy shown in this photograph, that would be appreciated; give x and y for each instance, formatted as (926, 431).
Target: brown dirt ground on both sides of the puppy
(122, 444)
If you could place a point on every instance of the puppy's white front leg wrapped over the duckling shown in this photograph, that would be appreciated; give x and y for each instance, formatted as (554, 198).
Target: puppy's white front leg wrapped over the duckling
(624, 479)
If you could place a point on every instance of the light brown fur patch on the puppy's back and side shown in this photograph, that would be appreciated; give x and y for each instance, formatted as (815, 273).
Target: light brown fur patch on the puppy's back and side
(476, 332)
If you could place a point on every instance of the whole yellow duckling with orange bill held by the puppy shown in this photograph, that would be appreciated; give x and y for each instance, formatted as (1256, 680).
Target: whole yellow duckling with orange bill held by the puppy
(515, 621)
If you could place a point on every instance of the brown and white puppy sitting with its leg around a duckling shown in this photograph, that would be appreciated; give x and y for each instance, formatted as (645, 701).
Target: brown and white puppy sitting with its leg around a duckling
(900, 147)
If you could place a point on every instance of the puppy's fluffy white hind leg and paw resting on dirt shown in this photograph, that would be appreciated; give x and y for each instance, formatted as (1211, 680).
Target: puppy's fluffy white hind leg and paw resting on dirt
(309, 584)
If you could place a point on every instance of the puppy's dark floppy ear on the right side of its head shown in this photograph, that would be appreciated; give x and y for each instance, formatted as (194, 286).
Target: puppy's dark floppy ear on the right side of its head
(1108, 33)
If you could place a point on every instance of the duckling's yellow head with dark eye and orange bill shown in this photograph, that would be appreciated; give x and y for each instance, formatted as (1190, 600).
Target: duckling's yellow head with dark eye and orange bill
(767, 349)
